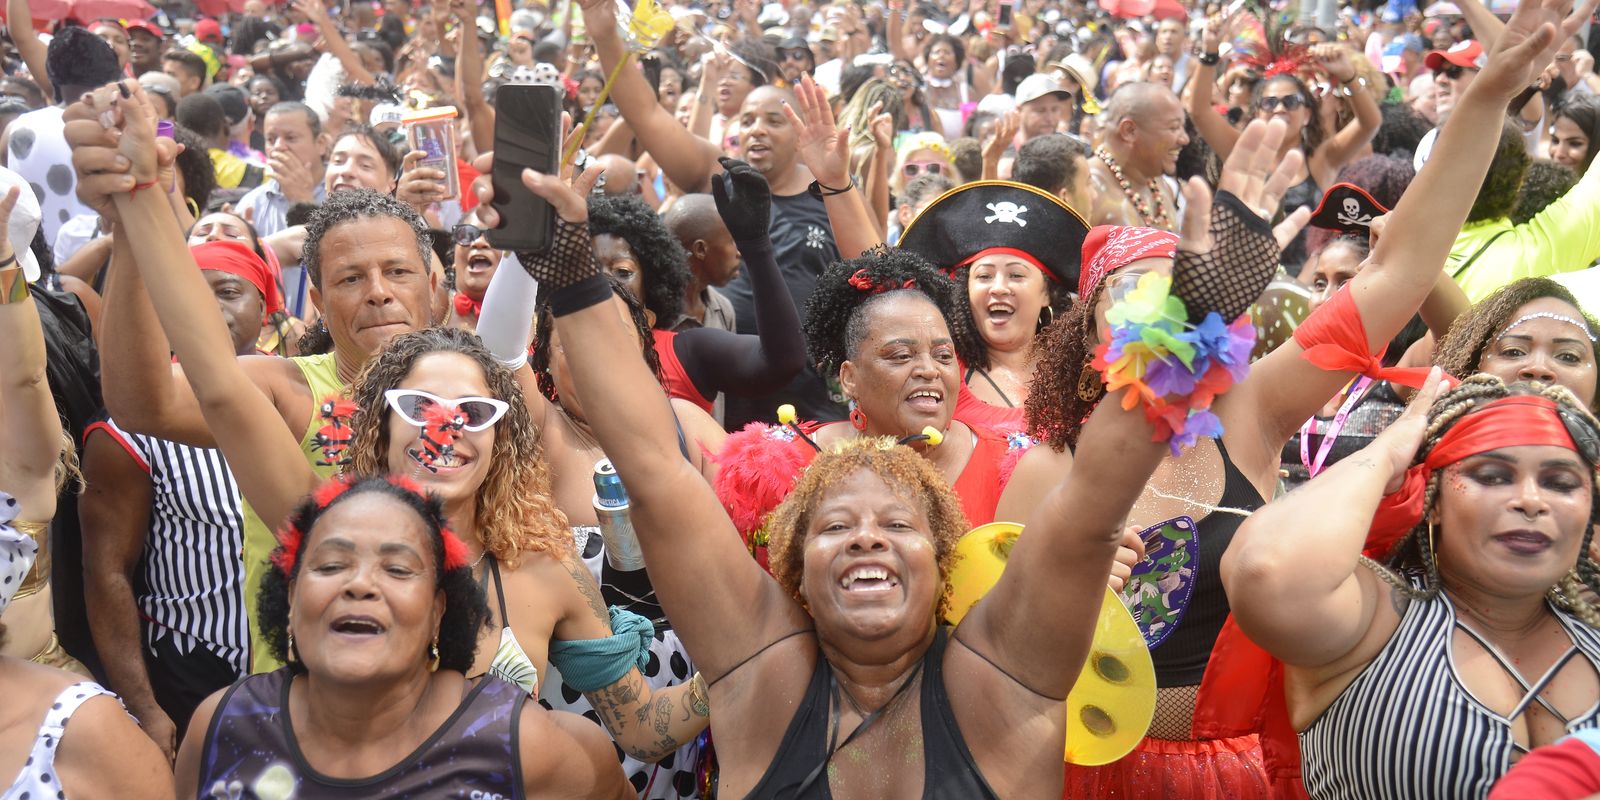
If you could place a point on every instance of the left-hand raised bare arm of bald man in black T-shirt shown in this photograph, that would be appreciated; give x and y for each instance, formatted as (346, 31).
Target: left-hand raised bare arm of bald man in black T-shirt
(687, 159)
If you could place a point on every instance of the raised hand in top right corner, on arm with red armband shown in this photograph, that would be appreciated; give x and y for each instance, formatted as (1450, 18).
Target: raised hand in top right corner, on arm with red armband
(1530, 41)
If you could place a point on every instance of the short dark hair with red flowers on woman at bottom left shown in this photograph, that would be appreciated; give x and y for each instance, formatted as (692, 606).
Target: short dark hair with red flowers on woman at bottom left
(466, 610)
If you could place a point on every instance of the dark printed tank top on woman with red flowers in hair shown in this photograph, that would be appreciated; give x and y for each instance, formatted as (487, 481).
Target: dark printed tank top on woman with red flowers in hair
(250, 750)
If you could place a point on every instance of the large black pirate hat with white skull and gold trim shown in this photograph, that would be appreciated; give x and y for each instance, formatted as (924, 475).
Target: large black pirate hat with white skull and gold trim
(1001, 215)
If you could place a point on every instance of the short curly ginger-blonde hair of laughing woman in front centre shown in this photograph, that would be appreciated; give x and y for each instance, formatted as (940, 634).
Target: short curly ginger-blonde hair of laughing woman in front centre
(906, 473)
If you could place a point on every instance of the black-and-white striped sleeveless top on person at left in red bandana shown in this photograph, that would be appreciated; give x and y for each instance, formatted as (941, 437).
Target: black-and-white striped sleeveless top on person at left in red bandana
(194, 553)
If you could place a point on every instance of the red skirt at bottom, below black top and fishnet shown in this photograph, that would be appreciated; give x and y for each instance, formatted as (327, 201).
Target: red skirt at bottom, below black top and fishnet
(1177, 770)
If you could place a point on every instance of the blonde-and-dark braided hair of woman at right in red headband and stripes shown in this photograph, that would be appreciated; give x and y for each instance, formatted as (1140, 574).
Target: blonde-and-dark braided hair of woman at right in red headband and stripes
(1414, 554)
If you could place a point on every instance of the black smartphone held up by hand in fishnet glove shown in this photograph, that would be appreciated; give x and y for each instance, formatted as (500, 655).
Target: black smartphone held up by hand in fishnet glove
(527, 137)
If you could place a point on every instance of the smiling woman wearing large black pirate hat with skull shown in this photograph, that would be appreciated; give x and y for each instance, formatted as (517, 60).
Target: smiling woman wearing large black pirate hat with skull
(1015, 249)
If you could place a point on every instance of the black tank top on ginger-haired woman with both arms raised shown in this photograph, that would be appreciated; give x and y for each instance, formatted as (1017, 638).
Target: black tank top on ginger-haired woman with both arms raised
(951, 770)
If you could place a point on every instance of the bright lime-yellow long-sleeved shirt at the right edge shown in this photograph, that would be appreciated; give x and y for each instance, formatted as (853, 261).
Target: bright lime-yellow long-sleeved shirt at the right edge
(1564, 238)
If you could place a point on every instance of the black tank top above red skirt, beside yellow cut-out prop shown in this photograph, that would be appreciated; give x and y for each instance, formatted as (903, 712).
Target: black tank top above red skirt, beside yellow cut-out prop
(1182, 658)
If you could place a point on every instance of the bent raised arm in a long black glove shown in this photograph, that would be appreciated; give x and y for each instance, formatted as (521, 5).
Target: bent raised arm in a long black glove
(729, 362)
